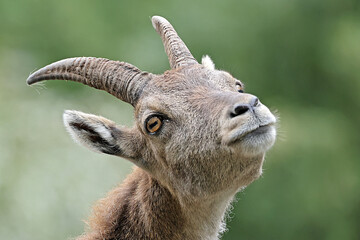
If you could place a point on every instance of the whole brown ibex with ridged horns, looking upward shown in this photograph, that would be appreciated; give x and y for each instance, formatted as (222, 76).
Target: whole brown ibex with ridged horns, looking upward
(197, 140)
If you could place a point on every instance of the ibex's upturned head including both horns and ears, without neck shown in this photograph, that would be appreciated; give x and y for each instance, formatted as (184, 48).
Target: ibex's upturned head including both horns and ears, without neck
(195, 130)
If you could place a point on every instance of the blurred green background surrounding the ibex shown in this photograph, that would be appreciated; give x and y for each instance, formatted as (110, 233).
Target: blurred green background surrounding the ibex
(301, 57)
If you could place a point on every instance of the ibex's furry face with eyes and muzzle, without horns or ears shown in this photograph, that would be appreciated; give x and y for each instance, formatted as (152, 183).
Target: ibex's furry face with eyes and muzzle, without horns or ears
(205, 133)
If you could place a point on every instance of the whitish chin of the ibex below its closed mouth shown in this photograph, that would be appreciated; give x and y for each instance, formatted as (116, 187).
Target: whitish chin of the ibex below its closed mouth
(258, 142)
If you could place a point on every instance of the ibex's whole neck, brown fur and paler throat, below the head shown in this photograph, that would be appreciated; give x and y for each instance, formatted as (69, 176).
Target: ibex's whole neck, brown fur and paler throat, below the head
(141, 208)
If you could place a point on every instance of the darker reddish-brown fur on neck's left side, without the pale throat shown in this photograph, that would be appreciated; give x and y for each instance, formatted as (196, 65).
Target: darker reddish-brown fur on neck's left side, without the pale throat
(138, 209)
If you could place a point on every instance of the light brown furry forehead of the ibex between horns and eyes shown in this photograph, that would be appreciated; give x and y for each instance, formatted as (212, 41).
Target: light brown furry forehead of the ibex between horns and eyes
(176, 89)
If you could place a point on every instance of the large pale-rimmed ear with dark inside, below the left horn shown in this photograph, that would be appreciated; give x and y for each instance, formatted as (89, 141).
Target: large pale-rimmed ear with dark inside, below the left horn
(102, 135)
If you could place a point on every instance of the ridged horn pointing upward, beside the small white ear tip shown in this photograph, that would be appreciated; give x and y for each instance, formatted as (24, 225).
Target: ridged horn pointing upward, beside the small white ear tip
(178, 54)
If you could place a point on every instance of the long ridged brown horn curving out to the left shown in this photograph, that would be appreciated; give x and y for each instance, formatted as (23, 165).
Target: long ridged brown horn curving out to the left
(120, 79)
